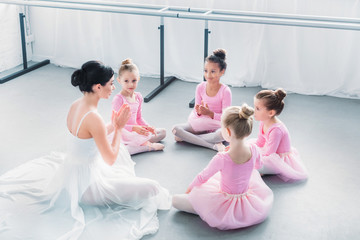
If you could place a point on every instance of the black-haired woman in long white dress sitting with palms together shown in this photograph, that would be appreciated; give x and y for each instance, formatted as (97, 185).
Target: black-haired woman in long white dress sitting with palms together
(94, 180)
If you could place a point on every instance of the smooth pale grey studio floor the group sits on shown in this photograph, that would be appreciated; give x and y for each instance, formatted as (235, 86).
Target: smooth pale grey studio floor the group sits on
(325, 130)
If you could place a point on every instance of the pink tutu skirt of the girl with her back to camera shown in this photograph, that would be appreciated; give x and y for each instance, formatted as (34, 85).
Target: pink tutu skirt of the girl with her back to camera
(231, 211)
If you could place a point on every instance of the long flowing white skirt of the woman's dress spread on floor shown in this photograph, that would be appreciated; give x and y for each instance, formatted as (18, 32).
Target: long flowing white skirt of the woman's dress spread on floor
(56, 197)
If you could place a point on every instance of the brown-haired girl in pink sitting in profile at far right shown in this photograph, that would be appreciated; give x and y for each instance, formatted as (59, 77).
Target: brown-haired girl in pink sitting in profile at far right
(278, 156)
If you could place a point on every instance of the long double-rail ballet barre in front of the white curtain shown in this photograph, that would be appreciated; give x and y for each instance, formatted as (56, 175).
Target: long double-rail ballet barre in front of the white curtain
(206, 15)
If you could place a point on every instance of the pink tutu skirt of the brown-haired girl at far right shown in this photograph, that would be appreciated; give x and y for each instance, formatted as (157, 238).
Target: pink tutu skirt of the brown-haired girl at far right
(288, 166)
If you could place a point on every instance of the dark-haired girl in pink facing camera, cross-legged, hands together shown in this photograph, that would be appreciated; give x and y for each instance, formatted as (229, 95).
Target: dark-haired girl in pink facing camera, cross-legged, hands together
(211, 97)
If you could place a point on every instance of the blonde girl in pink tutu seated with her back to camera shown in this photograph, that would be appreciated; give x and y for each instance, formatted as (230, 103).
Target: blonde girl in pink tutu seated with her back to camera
(229, 193)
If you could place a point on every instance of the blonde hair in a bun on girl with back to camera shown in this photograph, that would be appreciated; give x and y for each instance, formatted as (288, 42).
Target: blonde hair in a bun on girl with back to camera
(239, 119)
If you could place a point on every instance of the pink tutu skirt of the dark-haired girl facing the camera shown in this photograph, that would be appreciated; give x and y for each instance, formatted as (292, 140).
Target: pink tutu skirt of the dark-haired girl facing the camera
(203, 123)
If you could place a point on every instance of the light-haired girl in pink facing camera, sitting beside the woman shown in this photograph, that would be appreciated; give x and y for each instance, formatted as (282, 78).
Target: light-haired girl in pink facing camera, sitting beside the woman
(137, 135)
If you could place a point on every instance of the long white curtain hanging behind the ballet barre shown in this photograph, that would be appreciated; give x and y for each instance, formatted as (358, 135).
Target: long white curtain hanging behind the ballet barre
(302, 60)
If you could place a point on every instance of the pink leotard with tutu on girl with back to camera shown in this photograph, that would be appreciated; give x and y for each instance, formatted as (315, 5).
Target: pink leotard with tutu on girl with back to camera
(227, 195)
